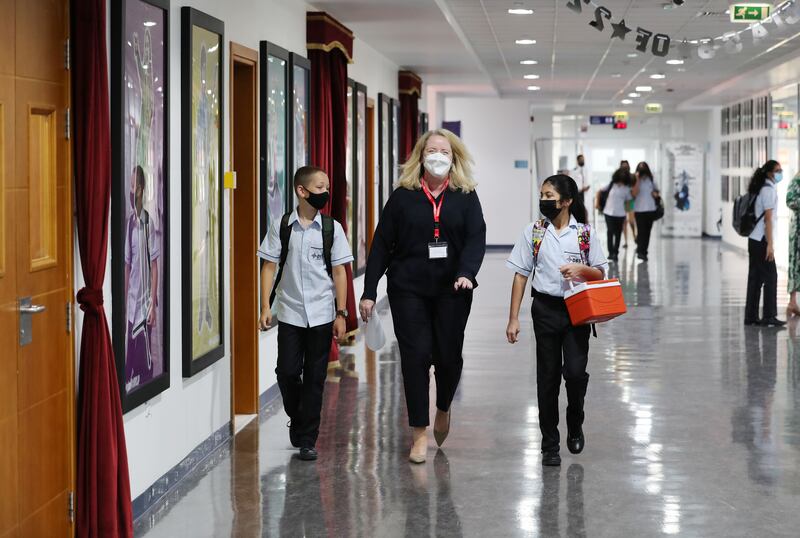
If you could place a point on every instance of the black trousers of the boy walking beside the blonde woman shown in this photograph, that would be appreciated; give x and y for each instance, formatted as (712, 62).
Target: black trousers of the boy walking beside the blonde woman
(302, 369)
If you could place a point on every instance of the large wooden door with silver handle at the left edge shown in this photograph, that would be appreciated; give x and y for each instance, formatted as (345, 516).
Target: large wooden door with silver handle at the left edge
(37, 378)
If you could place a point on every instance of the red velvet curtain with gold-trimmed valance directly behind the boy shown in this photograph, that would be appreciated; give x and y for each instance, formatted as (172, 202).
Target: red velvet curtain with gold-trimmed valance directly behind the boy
(330, 49)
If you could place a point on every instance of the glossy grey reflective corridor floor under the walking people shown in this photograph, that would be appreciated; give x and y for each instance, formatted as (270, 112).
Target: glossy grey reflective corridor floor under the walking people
(693, 429)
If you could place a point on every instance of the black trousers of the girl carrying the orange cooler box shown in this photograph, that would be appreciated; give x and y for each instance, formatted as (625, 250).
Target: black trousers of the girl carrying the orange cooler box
(561, 350)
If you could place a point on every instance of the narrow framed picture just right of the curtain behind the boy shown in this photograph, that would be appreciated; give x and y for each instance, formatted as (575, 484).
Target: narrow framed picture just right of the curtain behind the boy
(360, 252)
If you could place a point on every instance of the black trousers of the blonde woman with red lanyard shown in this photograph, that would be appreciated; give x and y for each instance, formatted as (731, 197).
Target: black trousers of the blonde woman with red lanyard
(430, 331)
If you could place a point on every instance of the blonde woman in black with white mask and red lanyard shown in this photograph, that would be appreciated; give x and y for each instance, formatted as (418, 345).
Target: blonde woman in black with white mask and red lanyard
(430, 242)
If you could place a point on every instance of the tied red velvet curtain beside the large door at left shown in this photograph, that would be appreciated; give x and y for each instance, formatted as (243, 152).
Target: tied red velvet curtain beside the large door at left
(103, 486)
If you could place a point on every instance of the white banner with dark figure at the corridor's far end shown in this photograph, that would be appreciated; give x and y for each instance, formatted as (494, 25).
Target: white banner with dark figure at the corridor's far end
(683, 179)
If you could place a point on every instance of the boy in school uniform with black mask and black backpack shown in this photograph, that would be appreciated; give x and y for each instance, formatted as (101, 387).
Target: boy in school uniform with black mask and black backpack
(310, 294)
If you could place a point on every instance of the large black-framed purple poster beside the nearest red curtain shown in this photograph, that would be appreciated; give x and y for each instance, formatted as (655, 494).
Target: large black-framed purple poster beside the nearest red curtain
(140, 187)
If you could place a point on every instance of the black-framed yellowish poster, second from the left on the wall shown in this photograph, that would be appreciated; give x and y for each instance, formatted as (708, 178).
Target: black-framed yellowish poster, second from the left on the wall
(202, 61)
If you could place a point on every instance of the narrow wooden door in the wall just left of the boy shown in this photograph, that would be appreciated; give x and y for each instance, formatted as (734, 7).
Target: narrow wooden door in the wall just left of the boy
(244, 229)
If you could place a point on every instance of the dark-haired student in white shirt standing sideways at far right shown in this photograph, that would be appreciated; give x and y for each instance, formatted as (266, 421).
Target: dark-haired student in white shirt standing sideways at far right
(761, 248)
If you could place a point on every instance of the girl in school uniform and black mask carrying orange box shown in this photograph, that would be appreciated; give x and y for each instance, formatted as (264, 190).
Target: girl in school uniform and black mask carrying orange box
(557, 250)
